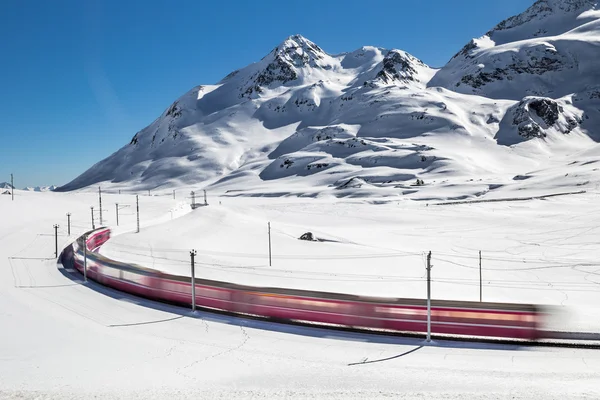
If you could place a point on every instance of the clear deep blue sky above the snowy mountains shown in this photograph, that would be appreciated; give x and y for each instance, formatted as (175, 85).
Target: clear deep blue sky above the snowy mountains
(81, 77)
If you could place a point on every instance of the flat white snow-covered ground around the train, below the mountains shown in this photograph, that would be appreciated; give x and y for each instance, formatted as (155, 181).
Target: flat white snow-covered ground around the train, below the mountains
(64, 339)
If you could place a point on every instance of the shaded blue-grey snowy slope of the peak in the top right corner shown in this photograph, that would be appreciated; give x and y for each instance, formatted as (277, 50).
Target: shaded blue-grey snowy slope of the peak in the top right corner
(551, 50)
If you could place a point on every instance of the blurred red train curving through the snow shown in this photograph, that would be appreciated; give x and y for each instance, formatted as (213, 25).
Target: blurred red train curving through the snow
(519, 321)
